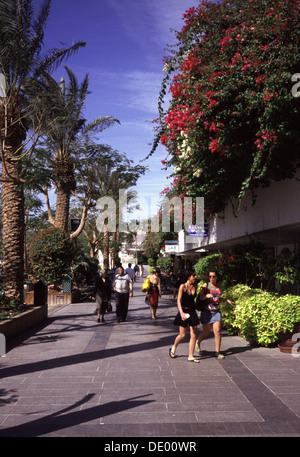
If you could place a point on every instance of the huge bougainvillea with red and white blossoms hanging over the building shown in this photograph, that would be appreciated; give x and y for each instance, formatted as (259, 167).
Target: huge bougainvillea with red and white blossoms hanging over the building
(232, 123)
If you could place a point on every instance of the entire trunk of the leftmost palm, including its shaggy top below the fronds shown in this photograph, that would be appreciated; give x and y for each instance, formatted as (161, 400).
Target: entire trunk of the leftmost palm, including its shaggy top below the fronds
(12, 134)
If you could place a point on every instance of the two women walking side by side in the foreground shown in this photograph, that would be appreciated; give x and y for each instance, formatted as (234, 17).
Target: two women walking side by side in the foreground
(187, 316)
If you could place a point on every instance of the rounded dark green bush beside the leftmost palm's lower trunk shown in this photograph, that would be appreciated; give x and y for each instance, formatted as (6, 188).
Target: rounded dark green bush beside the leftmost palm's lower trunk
(51, 254)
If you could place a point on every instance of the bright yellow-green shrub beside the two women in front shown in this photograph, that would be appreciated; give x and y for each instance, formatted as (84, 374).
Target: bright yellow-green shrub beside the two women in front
(259, 316)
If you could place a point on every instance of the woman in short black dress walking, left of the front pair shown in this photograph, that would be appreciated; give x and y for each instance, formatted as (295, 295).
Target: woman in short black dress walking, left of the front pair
(186, 317)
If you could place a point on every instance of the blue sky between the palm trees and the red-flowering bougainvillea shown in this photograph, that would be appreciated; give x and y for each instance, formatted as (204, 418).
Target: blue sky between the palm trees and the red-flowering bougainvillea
(126, 42)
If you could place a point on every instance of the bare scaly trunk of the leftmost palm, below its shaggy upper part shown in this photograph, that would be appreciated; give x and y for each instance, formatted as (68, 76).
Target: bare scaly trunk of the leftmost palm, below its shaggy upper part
(13, 232)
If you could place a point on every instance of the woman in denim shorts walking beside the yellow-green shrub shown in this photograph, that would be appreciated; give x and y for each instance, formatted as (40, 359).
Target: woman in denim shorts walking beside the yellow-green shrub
(211, 315)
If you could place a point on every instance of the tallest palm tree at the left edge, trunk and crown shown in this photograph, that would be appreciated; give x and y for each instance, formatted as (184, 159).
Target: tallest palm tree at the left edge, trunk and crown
(21, 65)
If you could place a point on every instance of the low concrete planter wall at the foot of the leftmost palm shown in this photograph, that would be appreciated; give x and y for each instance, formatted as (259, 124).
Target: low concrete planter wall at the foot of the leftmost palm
(18, 324)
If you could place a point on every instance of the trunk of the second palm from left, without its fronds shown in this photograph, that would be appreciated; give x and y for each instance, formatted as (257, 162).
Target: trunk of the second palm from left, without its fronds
(65, 183)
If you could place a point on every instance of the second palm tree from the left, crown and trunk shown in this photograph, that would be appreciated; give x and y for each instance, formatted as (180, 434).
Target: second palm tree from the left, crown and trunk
(64, 130)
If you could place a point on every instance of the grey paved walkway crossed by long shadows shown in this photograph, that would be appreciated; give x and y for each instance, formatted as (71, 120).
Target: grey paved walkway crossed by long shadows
(74, 377)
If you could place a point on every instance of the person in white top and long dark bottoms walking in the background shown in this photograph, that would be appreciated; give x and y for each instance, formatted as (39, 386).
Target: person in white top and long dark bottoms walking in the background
(123, 287)
